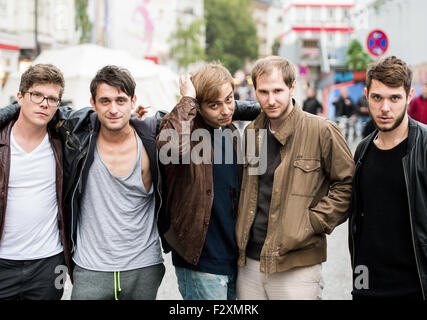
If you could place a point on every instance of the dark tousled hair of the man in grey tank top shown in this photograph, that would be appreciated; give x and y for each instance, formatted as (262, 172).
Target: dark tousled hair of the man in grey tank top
(117, 77)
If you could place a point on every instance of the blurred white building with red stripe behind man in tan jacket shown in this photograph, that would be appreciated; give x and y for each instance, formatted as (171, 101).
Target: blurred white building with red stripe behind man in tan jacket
(315, 35)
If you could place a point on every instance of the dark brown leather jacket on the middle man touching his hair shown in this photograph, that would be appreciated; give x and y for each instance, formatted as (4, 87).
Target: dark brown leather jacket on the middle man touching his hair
(189, 187)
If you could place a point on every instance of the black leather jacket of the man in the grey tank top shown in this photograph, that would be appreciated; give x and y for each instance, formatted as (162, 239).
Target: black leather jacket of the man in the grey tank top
(78, 130)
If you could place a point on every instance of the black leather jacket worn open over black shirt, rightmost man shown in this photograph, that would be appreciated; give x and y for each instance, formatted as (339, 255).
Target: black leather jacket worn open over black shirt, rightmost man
(415, 171)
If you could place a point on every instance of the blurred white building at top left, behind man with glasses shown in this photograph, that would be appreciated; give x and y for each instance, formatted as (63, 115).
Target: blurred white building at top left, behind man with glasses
(55, 29)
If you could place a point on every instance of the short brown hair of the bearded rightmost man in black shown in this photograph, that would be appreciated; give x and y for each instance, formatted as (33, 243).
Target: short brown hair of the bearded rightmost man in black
(391, 71)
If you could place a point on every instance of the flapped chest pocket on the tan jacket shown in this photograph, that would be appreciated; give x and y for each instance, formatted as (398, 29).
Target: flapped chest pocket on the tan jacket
(306, 177)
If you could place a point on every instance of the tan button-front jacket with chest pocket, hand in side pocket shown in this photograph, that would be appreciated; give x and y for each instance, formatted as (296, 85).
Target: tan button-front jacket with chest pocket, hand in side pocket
(311, 192)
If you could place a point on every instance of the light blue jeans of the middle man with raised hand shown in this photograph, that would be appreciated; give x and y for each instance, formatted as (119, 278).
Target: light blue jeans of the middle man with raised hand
(195, 285)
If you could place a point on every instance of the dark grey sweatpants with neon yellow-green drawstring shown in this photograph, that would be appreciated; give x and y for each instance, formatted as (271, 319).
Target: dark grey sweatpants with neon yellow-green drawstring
(138, 284)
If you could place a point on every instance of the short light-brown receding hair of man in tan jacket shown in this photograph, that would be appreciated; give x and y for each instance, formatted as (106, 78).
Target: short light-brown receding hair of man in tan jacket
(269, 64)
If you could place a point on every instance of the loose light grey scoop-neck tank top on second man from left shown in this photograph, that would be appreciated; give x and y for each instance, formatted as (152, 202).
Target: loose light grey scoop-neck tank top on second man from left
(117, 229)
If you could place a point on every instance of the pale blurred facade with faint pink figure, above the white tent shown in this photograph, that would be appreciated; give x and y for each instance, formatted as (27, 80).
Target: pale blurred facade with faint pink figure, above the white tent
(141, 27)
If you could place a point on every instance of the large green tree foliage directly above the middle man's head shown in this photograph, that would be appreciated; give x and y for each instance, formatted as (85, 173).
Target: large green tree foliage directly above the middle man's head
(231, 35)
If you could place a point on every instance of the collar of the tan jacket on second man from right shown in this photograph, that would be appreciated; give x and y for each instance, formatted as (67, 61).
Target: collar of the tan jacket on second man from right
(287, 127)
